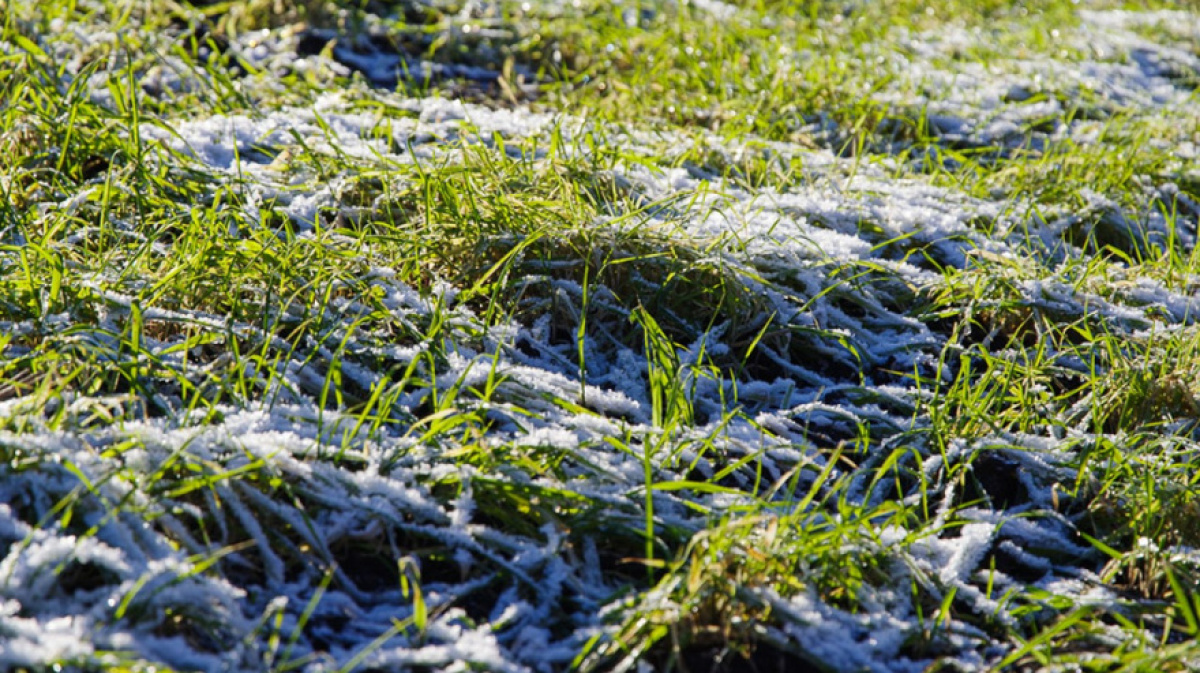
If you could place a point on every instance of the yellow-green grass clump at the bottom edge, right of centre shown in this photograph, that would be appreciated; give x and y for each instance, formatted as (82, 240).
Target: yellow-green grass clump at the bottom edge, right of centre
(728, 591)
